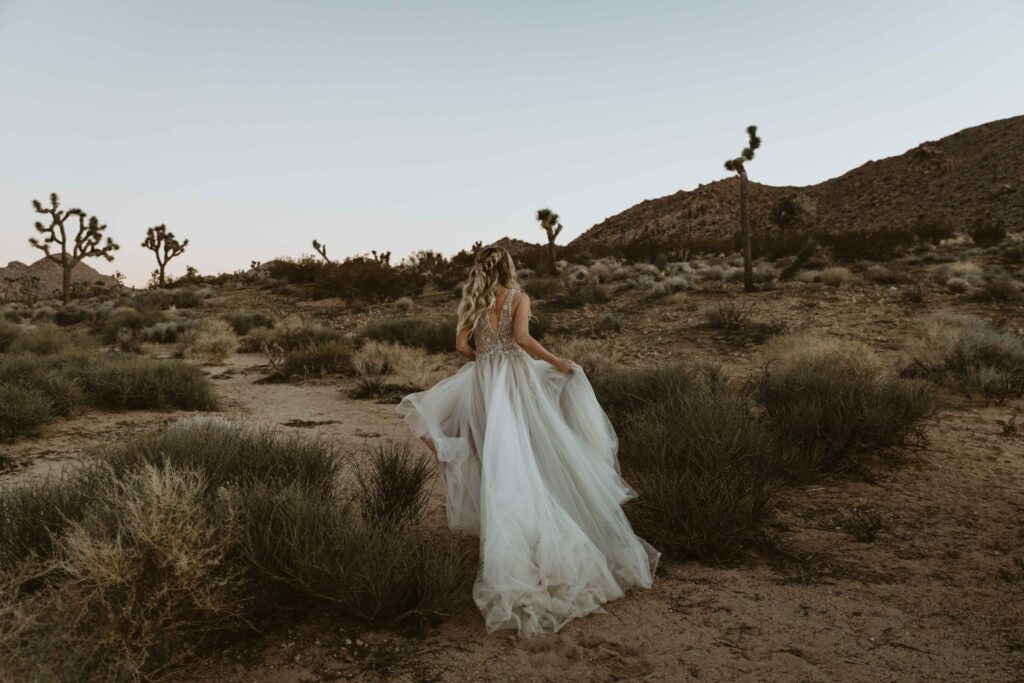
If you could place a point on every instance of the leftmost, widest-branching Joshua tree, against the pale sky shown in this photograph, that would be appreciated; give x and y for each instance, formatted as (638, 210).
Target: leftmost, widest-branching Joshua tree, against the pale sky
(87, 243)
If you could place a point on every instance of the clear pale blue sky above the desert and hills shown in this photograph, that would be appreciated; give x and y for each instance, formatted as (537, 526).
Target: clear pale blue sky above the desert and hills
(254, 127)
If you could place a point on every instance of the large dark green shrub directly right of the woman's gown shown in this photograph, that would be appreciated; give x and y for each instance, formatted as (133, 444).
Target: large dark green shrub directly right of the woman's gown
(697, 458)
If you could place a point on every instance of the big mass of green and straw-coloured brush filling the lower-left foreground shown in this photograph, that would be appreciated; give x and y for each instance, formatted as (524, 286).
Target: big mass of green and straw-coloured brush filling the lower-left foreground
(129, 564)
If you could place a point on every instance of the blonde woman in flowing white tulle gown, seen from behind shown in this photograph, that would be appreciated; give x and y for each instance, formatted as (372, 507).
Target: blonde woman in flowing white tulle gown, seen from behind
(531, 466)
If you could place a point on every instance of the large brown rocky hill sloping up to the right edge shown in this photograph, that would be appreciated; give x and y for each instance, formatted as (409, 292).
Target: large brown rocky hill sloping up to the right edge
(979, 169)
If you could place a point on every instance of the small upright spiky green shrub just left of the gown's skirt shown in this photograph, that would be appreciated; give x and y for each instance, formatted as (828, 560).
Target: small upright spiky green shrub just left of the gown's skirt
(394, 485)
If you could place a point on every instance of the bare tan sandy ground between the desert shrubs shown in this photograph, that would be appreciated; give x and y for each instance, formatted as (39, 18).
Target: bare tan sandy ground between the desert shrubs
(936, 597)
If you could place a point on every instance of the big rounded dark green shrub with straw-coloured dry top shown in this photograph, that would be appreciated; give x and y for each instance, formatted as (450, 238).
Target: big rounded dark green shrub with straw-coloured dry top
(827, 401)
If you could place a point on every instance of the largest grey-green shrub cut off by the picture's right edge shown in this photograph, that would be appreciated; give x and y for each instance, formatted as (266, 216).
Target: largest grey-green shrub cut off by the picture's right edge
(969, 354)
